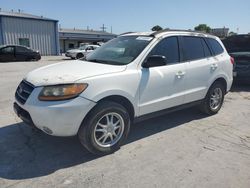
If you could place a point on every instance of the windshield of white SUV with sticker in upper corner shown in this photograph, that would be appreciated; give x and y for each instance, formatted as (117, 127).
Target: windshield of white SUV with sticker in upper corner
(119, 51)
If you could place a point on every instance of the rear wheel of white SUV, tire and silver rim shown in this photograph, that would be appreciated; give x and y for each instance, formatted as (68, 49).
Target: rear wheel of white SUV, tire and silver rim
(214, 99)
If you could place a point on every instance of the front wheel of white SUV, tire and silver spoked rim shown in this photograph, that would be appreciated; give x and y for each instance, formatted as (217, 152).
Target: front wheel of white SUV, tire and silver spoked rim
(95, 136)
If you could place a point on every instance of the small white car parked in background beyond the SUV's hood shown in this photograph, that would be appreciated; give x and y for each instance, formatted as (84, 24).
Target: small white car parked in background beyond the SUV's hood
(81, 51)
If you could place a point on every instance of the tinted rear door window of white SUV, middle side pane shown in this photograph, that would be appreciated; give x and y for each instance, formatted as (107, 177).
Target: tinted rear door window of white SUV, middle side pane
(192, 48)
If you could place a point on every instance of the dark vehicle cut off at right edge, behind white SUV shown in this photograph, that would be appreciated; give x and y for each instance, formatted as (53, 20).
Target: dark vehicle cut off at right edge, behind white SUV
(238, 46)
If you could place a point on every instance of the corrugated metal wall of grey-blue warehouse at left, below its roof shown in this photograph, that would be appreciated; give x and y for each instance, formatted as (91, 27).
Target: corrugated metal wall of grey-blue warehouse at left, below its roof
(42, 34)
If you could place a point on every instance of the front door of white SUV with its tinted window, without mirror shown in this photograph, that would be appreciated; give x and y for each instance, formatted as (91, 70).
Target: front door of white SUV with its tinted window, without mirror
(163, 87)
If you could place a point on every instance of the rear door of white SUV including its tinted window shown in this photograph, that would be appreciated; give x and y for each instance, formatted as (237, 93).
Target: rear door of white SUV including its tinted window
(200, 67)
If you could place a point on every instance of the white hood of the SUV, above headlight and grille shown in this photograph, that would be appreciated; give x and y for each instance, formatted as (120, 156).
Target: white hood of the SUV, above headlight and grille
(69, 72)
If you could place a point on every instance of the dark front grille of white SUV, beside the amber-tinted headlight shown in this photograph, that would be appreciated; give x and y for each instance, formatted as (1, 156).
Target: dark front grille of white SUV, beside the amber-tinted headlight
(23, 91)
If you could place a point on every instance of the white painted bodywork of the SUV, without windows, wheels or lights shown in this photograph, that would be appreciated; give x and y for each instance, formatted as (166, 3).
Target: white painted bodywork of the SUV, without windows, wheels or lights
(148, 90)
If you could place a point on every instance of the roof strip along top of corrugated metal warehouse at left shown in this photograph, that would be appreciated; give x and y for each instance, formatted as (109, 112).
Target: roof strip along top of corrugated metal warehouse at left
(25, 15)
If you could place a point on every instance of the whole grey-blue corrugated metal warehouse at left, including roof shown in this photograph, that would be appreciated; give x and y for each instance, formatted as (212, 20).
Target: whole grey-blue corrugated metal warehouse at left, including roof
(36, 32)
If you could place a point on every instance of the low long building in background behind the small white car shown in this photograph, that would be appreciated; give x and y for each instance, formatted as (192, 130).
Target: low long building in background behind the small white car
(72, 38)
